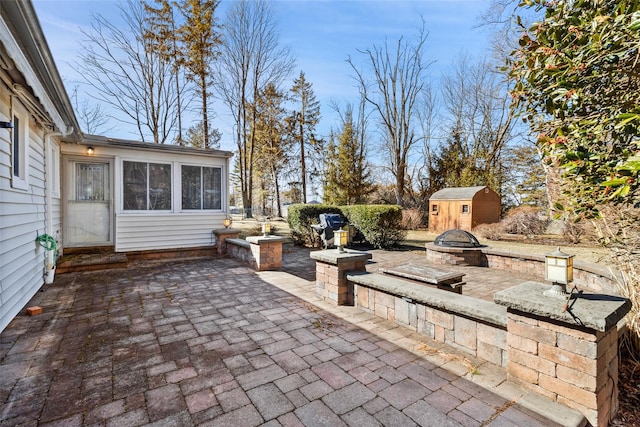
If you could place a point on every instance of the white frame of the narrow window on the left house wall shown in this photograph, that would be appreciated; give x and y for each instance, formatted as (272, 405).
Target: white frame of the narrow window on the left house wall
(19, 177)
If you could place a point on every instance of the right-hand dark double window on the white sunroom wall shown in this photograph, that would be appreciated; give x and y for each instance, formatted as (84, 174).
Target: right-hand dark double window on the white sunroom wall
(201, 188)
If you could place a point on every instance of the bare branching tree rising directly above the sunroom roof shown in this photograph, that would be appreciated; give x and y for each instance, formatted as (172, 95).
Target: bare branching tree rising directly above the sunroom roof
(127, 74)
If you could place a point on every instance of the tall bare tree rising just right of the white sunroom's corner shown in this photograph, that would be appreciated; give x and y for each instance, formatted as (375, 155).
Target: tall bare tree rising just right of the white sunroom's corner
(251, 58)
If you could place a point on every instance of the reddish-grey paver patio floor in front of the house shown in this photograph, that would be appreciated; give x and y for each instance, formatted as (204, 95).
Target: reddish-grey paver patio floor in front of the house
(213, 343)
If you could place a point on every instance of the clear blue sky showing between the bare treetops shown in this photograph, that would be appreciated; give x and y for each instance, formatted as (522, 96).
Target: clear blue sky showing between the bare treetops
(321, 34)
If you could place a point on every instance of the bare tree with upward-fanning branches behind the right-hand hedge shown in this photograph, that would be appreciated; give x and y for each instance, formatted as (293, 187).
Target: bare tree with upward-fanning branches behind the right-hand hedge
(393, 90)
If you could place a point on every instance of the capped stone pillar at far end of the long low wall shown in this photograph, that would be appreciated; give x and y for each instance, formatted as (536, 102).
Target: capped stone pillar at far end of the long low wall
(331, 269)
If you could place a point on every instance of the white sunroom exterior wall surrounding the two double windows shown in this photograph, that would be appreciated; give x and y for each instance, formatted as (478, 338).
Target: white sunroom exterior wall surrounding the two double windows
(157, 230)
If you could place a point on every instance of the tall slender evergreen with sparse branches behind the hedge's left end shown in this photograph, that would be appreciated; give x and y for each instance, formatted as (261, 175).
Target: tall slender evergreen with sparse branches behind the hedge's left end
(304, 121)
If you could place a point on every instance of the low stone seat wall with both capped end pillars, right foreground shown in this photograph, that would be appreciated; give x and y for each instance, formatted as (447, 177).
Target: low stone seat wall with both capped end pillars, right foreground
(564, 350)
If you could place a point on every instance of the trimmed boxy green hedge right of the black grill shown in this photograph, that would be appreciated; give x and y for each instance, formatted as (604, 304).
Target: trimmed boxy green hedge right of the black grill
(381, 225)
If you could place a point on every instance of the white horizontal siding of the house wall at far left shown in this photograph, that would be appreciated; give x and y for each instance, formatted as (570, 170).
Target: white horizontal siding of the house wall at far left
(23, 218)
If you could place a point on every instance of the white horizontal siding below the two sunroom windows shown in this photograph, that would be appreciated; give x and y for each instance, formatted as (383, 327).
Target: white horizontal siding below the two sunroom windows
(149, 232)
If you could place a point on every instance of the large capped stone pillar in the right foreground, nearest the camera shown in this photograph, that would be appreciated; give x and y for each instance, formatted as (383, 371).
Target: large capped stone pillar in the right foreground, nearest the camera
(568, 353)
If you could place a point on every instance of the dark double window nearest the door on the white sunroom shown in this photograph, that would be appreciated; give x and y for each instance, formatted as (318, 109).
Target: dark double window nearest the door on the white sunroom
(146, 186)
